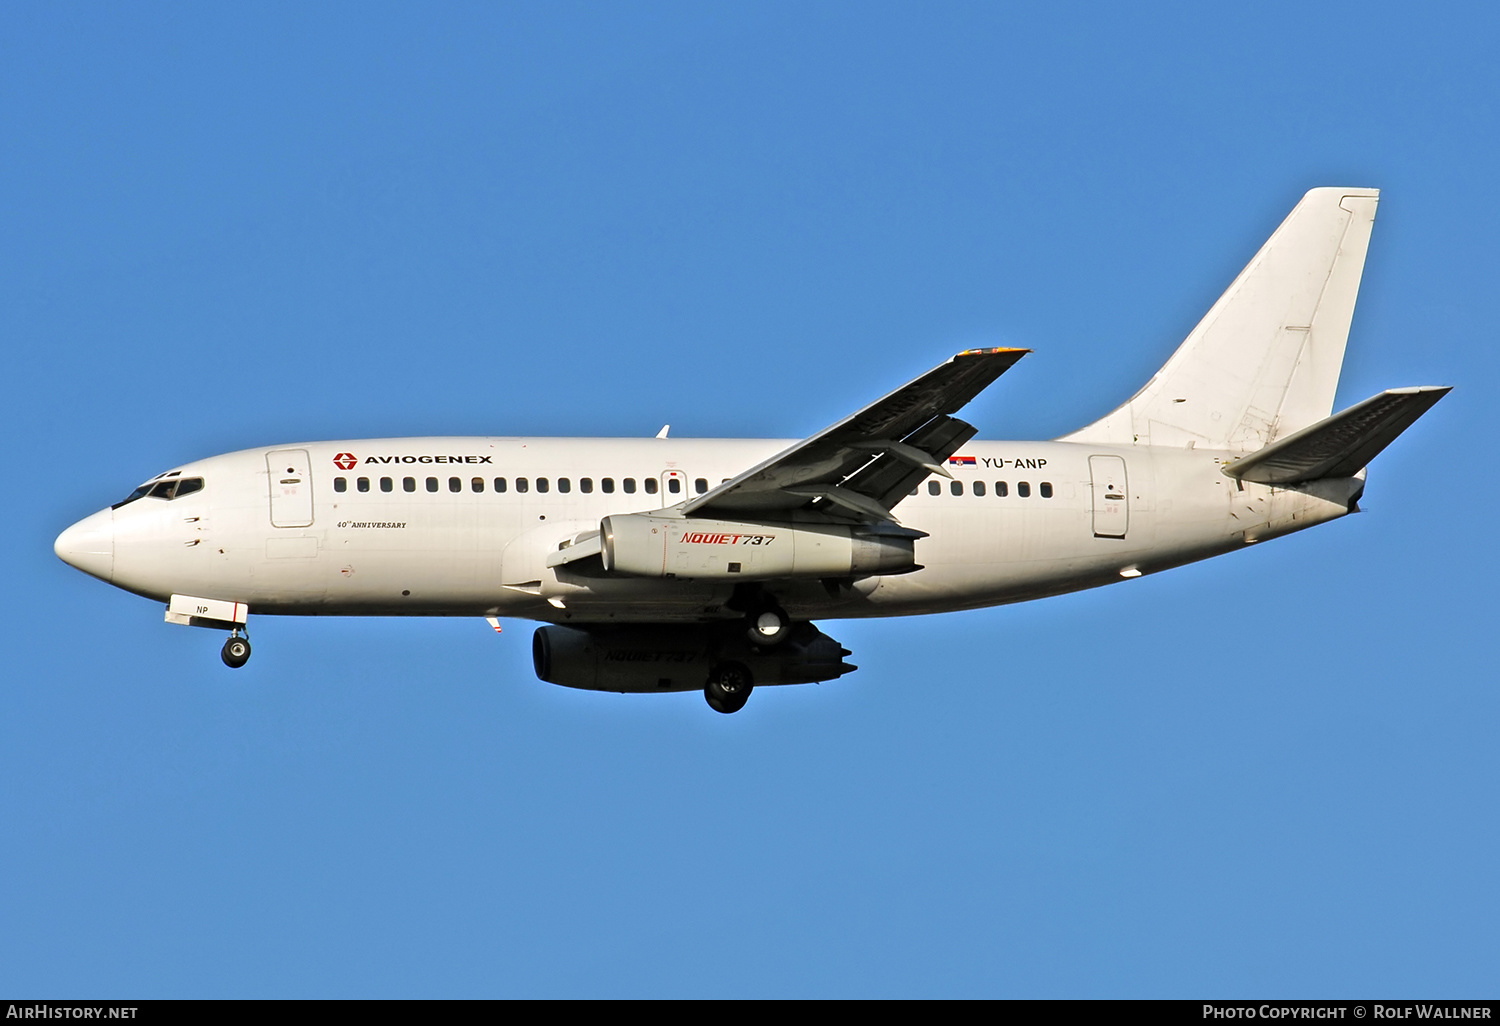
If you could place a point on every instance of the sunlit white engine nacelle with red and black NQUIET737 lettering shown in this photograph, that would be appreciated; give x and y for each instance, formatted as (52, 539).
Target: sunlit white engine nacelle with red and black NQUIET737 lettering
(658, 547)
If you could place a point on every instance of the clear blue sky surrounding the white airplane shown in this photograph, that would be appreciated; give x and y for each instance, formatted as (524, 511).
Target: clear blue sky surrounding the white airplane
(226, 227)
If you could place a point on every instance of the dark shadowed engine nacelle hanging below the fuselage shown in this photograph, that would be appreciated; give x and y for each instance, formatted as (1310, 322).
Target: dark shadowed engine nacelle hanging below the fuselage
(677, 658)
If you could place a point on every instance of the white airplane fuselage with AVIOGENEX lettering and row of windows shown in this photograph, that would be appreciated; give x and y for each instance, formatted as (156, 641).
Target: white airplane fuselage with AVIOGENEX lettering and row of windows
(421, 529)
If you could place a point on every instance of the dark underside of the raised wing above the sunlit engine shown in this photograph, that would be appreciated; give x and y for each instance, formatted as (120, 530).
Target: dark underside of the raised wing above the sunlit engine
(862, 467)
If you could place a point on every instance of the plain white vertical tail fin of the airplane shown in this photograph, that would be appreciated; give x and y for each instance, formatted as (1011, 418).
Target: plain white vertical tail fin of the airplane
(1265, 359)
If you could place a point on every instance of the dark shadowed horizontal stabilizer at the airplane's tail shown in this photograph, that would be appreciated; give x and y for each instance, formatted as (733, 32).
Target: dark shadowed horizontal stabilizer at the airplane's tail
(1342, 445)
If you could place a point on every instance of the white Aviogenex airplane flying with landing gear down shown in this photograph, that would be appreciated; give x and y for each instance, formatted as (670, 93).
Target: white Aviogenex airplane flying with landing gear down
(671, 565)
